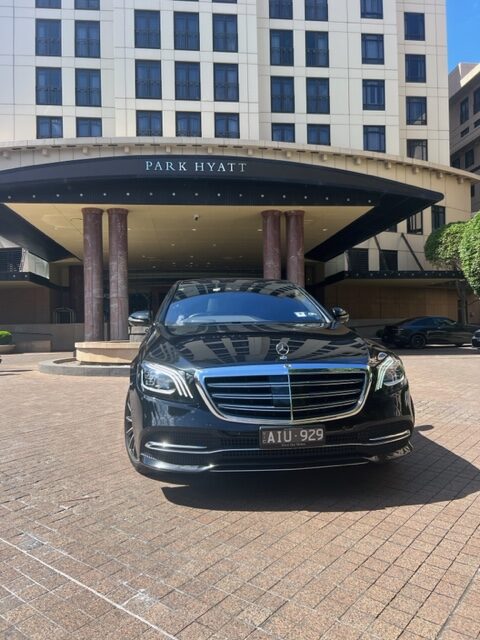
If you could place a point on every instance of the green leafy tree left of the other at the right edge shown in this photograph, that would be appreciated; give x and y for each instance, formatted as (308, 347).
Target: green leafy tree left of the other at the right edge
(442, 249)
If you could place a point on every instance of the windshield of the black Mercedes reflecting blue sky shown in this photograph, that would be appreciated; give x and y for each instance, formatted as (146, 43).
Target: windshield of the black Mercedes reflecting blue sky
(218, 303)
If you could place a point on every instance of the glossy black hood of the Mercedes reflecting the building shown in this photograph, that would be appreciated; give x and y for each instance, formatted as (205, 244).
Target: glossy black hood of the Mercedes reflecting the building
(205, 346)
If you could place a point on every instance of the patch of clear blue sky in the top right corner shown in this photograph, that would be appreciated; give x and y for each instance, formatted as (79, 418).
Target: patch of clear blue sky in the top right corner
(463, 22)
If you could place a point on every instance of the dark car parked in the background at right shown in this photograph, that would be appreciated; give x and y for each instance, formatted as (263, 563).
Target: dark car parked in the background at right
(418, 332)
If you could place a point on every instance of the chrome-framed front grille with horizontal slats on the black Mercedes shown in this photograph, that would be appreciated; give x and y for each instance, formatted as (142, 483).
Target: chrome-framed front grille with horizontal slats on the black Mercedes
(290, 394)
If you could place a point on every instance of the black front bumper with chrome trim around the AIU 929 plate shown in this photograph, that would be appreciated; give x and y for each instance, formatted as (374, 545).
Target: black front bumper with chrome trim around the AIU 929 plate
(188, 438)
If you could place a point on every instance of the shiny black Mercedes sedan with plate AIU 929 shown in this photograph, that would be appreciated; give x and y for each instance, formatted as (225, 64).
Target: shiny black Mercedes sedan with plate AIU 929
(239, 375)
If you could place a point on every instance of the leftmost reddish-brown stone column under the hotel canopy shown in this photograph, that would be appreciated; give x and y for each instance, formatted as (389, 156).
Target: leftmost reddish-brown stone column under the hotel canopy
(93, 273)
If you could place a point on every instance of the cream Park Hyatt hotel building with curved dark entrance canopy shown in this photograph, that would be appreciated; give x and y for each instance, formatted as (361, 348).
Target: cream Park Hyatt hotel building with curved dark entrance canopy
(228, 133)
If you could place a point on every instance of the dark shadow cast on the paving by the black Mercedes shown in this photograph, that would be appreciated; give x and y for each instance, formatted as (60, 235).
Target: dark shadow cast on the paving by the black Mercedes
(430, 474)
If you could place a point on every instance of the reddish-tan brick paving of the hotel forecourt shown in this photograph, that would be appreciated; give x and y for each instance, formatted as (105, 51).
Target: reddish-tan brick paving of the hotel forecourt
(90, 549)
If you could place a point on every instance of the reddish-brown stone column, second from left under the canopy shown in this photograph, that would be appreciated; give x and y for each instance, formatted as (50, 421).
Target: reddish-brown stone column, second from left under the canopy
(118, 273)
